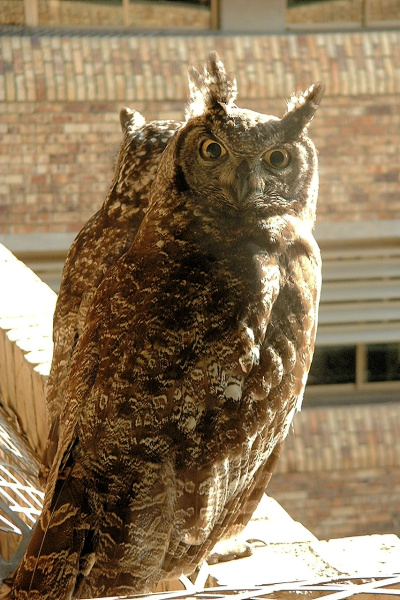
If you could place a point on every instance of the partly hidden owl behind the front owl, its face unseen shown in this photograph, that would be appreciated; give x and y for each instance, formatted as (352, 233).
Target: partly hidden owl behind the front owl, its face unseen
(104, 238)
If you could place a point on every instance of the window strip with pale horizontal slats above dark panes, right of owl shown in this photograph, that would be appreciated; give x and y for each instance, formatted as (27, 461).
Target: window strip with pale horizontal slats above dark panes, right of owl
(357, 354)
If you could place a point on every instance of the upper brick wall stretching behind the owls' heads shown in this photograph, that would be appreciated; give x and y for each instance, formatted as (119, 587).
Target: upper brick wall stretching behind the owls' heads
(60, 96)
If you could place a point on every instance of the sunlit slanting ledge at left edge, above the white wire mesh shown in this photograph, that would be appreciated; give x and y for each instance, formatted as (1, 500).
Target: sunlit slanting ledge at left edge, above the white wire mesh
(26, 313)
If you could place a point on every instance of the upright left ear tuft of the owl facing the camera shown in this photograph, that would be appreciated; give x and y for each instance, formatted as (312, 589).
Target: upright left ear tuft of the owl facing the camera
(211, 88)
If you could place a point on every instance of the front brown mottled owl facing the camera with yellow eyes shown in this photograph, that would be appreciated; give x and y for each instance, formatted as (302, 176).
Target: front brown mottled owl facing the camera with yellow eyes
(193, 357)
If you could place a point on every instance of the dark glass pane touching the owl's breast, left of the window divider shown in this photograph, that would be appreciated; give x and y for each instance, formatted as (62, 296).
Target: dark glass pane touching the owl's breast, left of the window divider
(333, 365)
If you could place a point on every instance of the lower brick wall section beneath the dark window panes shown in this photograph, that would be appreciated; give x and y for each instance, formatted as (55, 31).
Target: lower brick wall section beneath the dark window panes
(339, 473)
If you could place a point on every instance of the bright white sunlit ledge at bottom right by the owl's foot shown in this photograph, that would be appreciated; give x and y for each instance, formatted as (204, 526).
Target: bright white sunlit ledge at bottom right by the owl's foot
(288, 552)
